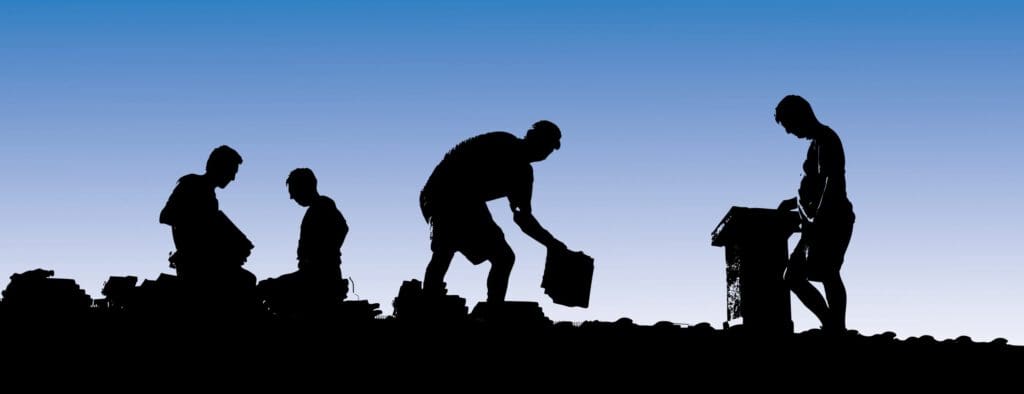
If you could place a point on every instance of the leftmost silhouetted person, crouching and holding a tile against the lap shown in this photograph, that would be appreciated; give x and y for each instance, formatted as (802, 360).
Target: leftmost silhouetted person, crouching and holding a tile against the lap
(210, 249)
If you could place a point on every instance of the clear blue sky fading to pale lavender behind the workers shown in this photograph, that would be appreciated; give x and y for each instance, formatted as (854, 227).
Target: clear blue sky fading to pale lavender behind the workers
(666, 110)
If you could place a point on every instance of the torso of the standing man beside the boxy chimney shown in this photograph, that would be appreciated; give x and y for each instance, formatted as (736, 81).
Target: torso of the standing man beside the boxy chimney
(826, 160)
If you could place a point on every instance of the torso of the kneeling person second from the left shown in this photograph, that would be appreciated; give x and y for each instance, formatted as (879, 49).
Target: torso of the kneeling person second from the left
(322, 234)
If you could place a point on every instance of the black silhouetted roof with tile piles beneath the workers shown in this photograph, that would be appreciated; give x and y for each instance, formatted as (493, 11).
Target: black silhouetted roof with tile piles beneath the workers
(48, 323)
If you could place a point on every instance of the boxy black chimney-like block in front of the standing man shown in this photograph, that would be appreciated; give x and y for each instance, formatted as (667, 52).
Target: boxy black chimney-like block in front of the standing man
(756, 255)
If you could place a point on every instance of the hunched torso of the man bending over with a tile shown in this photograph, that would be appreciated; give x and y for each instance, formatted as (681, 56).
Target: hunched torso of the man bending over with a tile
(484, 168)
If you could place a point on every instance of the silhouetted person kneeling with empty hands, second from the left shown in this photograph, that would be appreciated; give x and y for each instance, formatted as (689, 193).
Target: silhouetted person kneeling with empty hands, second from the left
(318, 286)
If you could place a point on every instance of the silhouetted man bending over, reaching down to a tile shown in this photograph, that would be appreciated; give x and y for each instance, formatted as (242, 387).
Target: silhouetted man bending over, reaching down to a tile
(454, 203)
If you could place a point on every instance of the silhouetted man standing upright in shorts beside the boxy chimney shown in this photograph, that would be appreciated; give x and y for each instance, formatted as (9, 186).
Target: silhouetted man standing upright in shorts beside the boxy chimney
(827, 215)
